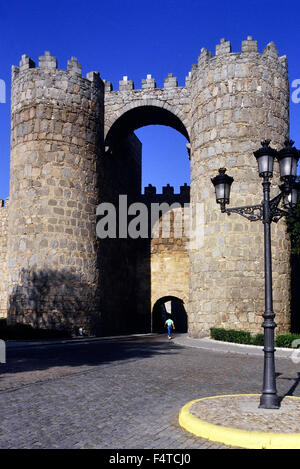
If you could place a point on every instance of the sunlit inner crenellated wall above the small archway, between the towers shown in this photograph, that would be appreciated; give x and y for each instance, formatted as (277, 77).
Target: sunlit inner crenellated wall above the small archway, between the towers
(163, 263)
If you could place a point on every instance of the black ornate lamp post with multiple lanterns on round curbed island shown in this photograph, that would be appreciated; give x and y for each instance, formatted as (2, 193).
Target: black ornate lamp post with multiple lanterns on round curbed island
(267, 212)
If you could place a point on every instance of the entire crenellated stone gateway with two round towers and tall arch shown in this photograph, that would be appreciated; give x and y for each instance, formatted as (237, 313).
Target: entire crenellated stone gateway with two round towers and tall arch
(73, 147)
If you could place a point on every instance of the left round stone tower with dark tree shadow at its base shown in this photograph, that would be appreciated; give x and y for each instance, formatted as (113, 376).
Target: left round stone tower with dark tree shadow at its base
(56, 141)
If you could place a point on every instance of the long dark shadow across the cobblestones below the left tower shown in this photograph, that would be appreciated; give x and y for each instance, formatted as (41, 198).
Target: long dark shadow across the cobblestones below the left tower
(79, 356)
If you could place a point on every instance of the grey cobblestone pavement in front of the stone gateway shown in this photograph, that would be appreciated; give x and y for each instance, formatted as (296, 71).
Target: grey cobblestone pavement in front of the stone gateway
(119, 393)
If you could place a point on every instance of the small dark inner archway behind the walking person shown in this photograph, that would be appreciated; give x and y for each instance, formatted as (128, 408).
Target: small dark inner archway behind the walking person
(169, 307)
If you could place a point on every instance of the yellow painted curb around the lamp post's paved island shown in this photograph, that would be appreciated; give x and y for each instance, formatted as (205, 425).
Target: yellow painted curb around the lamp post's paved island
(234, 436)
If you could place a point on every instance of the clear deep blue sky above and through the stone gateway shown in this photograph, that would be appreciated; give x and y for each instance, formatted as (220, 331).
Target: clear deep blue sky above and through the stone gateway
(135, 38)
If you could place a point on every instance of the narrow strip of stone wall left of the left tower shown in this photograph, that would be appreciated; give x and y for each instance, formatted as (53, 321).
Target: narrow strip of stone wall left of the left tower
(3, 257)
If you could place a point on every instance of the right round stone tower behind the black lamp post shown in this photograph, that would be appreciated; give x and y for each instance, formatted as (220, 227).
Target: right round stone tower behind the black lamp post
(238, 100)
